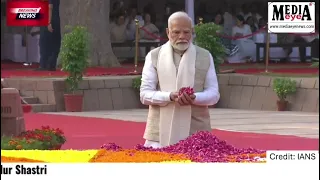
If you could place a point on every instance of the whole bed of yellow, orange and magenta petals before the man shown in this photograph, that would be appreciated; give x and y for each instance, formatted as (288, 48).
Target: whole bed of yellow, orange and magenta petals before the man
(200, 147)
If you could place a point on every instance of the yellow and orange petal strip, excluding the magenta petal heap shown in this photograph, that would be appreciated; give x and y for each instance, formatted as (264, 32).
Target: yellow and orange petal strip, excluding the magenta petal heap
(103, 156)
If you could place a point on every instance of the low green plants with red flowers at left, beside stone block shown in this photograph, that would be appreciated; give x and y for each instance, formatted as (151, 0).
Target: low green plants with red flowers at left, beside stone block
(45, 138)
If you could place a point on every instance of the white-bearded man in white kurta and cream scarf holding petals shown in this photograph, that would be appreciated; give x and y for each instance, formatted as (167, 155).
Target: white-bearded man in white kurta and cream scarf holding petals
(174, 65)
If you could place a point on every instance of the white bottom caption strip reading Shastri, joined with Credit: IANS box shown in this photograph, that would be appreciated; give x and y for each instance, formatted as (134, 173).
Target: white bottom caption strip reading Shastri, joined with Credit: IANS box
(300, 165)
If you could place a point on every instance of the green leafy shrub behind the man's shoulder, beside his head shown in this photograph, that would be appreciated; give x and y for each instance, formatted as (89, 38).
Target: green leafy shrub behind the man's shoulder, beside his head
(207, 38)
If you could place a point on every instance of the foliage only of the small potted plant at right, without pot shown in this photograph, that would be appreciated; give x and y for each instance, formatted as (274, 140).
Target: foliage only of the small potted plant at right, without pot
(284, 87)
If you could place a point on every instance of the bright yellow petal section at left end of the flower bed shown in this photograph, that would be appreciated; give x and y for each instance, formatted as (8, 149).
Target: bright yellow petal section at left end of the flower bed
(58, 156)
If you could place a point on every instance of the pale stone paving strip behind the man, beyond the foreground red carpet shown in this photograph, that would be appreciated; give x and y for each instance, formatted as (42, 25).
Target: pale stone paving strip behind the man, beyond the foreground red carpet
(271, 122)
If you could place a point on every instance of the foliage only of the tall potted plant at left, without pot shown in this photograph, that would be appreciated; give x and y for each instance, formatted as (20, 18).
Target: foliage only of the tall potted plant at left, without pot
(74, 55)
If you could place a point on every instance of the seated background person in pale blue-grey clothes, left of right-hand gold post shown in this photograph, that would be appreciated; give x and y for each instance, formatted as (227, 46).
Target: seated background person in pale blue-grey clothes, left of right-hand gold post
(247, 47)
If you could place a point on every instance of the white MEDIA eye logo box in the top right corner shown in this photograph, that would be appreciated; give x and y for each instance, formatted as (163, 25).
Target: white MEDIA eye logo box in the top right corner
(291, 17)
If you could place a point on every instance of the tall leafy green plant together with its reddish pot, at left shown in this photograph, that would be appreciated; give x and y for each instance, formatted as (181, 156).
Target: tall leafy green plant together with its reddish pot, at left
(74, 60)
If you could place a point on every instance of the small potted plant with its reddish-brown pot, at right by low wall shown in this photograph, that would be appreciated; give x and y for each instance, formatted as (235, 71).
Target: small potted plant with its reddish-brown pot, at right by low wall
(283, 87)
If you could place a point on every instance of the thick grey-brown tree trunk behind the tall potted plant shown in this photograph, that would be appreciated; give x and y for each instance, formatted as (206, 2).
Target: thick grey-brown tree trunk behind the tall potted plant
(93, 14)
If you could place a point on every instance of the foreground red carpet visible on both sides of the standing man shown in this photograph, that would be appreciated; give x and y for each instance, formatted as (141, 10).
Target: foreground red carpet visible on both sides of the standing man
(89, 133)
